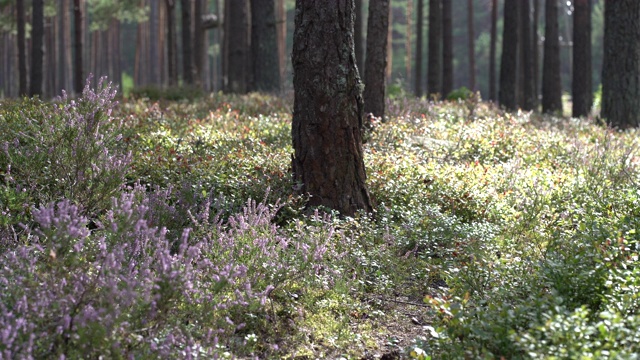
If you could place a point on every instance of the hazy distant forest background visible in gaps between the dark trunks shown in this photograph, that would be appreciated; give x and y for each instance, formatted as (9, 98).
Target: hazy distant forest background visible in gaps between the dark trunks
(121, 36)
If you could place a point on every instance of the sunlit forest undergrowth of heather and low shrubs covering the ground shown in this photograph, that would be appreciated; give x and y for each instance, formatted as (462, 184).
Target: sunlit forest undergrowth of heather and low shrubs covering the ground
(169, 229)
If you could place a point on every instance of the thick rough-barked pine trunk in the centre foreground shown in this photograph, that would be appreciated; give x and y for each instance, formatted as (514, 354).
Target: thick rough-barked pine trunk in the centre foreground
(327, 119)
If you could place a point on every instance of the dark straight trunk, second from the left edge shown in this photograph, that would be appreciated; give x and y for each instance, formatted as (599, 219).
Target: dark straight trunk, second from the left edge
(37, 51)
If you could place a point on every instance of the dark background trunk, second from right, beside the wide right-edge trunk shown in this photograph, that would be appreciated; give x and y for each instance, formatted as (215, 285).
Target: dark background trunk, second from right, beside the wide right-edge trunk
(581, 84)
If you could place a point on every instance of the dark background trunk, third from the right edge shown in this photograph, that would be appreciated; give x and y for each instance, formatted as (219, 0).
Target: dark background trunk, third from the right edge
(551, 82)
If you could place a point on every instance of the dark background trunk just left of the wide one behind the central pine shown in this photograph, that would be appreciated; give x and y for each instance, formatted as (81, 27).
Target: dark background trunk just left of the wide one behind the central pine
(238, 36)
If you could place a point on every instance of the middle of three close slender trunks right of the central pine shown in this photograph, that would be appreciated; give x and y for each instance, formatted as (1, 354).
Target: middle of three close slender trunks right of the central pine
(434, 68)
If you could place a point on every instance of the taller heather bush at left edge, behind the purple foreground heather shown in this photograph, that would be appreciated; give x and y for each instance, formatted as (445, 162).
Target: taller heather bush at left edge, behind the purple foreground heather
(69, 149)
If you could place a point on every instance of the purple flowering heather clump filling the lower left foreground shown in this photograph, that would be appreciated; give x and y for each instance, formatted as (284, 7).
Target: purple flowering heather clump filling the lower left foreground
(120, 290)
